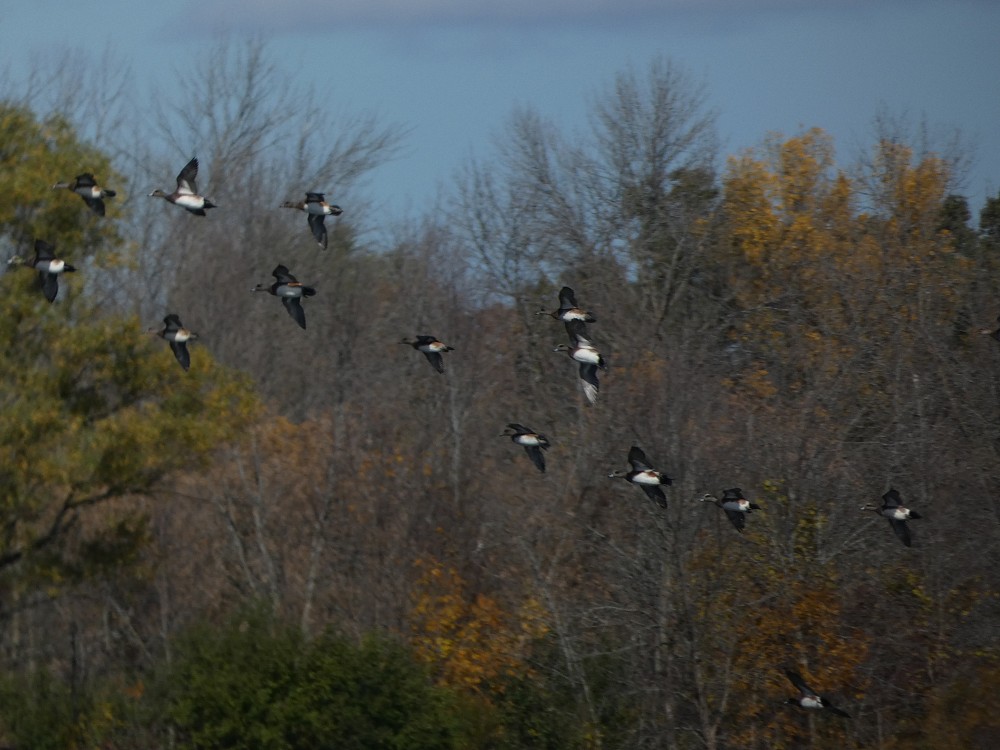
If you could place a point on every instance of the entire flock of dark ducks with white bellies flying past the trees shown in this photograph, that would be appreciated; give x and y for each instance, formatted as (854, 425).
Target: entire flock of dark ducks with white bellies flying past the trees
(580, 349)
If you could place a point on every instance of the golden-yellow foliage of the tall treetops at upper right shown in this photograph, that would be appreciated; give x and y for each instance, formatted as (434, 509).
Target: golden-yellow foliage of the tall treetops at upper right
(817, 280)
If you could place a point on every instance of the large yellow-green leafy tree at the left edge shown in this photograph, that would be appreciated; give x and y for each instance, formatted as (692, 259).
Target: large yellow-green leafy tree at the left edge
(96, 413)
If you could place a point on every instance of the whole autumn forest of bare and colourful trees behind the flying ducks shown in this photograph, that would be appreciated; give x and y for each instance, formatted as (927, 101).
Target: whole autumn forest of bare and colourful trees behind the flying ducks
(312, 539)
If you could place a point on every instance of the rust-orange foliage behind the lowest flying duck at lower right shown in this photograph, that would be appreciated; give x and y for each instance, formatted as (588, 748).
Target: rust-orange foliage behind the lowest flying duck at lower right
(789, 606)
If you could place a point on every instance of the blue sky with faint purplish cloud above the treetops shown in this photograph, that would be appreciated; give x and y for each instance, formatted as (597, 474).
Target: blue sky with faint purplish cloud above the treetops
(452, 71)
